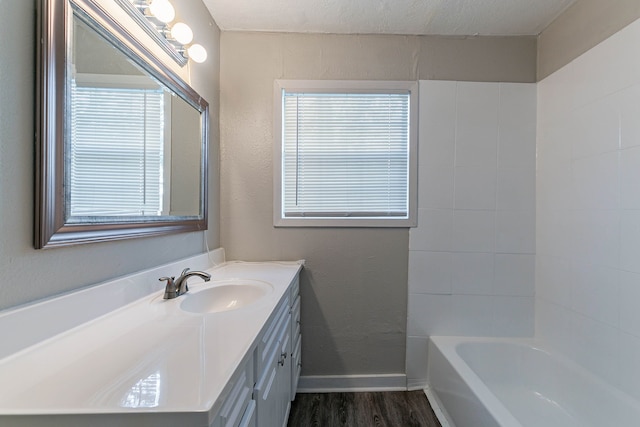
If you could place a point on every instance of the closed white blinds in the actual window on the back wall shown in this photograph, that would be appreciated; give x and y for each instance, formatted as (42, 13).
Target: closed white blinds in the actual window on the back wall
(345, 155)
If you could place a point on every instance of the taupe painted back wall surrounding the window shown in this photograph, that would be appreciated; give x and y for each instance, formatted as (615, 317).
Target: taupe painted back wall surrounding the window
(354, 286)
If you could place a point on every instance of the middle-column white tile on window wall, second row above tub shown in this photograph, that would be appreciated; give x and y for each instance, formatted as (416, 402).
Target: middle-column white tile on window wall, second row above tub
(472, 273)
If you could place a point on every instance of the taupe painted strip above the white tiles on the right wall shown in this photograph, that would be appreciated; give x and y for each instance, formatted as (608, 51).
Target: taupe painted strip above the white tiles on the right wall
(582, 26)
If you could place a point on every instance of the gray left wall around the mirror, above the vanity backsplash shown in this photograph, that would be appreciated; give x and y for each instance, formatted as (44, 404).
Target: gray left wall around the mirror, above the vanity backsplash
(30, 274)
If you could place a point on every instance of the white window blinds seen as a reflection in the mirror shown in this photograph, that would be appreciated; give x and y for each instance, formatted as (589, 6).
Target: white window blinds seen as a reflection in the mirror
(116, 155)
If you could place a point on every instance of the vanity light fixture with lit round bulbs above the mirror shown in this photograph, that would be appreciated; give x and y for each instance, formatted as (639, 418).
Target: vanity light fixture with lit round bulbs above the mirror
(159, 14)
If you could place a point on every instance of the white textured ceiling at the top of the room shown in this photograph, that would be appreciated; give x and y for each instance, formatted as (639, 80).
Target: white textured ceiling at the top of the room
(428, 17)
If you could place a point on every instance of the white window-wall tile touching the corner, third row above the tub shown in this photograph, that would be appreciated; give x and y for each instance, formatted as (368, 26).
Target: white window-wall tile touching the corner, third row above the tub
(515, 232)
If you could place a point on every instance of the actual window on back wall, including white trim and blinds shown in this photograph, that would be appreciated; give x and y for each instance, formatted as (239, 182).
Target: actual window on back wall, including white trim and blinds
(346, 153)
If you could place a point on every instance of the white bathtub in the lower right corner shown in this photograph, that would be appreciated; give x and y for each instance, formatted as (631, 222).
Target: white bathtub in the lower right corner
(492, 382)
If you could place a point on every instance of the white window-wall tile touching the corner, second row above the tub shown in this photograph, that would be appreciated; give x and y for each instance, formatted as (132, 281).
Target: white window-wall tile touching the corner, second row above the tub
(514, 275)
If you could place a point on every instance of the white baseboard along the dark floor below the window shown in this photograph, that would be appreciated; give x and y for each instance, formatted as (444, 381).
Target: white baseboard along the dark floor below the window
(351, 383)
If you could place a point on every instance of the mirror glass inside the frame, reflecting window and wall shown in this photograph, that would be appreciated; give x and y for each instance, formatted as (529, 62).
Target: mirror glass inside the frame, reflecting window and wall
(119, 160)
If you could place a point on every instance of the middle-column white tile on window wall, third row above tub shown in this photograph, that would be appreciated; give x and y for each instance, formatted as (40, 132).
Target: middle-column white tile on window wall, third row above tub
(473, 231)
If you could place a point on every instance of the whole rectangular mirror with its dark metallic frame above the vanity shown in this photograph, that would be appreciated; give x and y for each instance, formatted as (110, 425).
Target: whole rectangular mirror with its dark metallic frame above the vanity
(123, 140)
